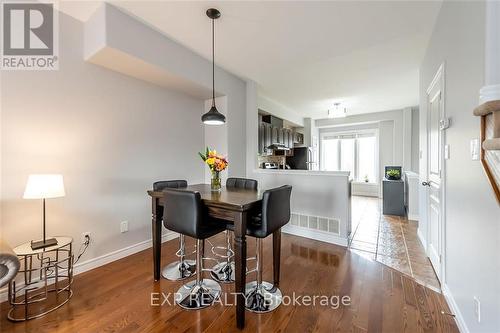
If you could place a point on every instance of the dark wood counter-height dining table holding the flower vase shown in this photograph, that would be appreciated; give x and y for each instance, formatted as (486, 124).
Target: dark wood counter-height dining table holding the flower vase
(229, 204)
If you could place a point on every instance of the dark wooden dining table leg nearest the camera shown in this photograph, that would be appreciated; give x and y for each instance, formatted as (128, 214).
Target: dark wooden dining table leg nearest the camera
(240, 249)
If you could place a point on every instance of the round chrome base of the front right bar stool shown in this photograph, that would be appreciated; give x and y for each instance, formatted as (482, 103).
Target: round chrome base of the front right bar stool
(263, 297)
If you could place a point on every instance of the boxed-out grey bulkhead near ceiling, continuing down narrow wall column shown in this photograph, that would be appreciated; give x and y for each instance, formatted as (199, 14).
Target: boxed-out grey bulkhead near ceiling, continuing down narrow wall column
(164, 61)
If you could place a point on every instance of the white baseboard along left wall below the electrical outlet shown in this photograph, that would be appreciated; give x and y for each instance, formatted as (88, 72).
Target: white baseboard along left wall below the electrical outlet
(107, 258)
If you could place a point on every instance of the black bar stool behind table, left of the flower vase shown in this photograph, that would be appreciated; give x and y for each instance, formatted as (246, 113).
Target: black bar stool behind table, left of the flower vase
(182, 268)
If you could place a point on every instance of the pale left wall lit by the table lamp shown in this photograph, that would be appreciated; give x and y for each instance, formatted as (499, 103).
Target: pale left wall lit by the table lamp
(109, 135)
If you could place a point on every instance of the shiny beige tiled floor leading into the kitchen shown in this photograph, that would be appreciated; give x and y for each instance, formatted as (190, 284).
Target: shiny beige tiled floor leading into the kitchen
(391, 240)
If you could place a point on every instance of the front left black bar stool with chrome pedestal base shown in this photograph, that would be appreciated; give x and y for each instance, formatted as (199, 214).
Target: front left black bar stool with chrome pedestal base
(185, 214)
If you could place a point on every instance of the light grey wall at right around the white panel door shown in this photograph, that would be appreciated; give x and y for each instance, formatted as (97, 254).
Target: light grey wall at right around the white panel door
(472, 223)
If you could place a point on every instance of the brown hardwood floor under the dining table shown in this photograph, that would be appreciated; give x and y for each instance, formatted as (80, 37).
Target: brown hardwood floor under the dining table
(117, 297)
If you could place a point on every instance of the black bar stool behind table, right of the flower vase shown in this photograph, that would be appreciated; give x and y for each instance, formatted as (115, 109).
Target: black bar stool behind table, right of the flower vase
(224, 271)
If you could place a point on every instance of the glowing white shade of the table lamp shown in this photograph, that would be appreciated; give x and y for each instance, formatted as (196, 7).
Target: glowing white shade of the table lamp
(44, 187)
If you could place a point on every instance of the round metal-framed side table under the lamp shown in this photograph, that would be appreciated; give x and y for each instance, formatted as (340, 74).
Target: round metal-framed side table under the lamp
(44, 280)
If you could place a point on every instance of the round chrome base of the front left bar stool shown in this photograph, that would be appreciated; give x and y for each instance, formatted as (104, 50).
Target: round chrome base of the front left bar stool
(195, 296)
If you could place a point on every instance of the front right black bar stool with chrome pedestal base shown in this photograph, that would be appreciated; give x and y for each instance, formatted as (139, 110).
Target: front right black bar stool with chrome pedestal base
(262, 296)
